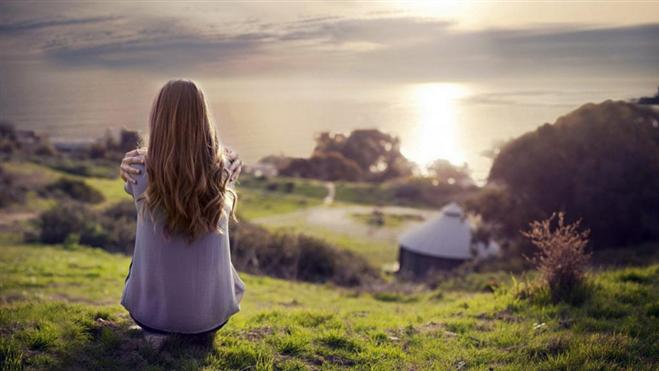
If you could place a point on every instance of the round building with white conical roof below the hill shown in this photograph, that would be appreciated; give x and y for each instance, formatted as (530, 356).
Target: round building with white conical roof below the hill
(442, 243)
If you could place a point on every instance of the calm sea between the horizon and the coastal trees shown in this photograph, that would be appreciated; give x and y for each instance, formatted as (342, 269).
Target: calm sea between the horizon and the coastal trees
(459, 121)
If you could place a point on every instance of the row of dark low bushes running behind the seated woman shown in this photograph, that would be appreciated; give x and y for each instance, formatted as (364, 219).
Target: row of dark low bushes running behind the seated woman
(253, 248)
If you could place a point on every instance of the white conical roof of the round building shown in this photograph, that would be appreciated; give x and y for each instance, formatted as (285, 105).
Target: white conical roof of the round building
(447, 235)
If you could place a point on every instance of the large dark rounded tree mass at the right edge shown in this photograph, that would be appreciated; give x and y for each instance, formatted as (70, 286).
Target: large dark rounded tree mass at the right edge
(599, 163)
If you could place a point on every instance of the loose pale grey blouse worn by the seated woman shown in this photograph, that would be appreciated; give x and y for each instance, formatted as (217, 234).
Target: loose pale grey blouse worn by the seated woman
(176, 286)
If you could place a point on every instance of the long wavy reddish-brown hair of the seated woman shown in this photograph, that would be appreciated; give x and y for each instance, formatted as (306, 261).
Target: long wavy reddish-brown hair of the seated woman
(187, 179)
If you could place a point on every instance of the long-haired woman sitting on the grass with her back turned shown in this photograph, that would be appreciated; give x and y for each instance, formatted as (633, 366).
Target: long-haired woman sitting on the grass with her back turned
(181, 279)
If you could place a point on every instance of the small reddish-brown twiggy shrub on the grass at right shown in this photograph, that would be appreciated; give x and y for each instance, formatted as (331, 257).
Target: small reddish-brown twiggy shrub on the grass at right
(562, 256)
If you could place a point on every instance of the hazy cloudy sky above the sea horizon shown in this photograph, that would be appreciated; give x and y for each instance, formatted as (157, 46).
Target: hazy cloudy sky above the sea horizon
(379, 41)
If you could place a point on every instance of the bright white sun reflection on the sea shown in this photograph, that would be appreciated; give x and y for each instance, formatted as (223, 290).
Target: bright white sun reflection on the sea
(435, 128)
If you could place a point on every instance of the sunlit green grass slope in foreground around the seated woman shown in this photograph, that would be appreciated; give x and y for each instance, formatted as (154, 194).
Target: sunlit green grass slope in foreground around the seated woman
(59, 311)
